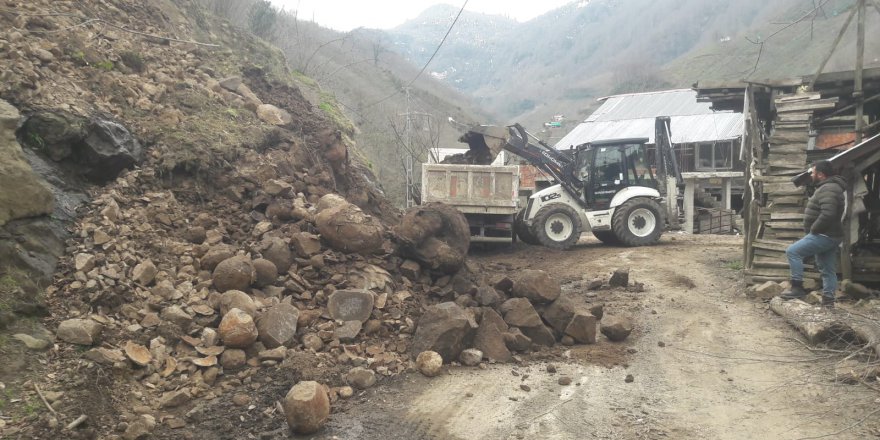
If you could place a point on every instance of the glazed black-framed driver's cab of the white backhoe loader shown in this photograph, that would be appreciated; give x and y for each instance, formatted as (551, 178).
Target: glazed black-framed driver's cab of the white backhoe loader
(606, 167)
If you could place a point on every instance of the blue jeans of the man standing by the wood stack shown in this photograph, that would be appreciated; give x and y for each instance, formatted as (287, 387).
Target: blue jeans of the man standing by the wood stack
(825, 250)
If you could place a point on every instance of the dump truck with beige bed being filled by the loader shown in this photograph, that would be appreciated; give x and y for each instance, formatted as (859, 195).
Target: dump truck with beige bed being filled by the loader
(487, 195)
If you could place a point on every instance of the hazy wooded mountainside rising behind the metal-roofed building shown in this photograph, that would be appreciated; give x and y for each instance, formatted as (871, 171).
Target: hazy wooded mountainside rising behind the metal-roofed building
(560, 62)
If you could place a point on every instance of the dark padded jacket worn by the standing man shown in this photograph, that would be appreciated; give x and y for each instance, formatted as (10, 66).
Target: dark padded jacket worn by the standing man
(824, 213)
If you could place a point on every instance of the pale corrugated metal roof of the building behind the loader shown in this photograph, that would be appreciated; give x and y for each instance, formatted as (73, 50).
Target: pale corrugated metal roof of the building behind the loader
(633, 115)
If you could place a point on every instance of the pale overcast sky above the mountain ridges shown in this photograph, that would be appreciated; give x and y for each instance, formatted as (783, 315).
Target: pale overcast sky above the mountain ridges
(344, 15)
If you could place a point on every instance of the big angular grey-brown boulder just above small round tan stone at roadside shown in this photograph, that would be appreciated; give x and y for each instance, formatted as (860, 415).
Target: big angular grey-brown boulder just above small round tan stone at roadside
(445, 328)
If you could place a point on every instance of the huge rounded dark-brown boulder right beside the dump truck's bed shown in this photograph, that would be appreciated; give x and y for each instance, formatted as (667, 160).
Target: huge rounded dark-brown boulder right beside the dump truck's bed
(436, 235)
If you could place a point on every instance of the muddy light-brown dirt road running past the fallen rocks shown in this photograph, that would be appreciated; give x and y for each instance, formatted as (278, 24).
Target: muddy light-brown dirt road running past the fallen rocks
(706, 362)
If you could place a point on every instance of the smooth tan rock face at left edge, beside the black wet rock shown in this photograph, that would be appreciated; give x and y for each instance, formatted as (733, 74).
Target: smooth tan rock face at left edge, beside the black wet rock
(23, 193)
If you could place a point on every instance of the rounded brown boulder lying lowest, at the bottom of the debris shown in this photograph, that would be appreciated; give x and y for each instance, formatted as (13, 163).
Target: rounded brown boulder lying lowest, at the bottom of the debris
(306, 407)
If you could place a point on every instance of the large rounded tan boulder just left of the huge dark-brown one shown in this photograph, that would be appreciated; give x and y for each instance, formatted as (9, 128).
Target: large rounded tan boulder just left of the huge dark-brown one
(348, 229)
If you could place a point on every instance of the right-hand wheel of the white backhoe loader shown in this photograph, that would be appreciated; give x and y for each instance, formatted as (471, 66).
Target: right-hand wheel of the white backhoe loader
(638, 222)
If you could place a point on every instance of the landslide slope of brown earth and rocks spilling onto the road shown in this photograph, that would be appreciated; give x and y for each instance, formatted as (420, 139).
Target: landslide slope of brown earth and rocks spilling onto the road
(230, 247)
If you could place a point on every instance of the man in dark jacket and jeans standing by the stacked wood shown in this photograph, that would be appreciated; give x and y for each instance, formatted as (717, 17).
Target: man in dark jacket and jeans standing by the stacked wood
(823, 223)
